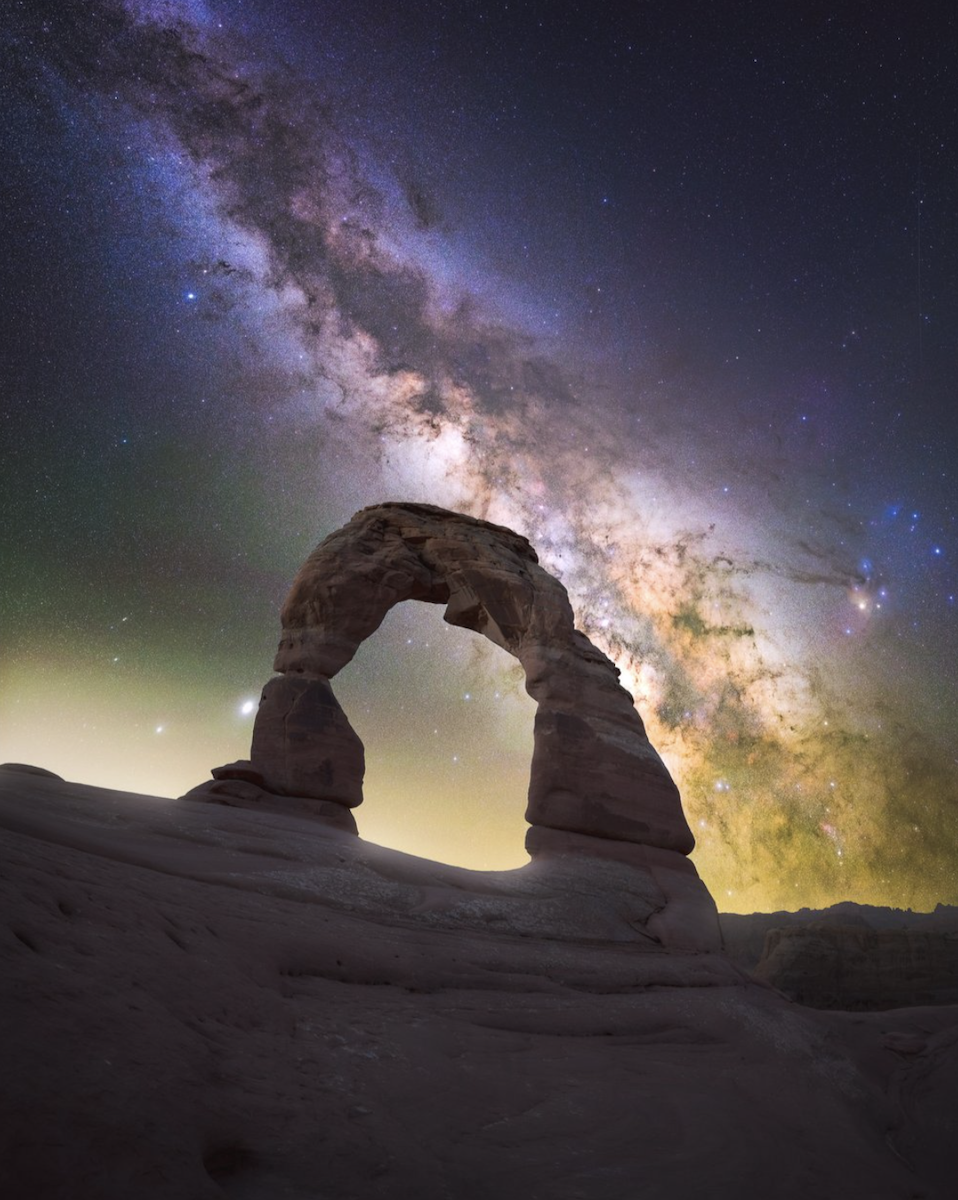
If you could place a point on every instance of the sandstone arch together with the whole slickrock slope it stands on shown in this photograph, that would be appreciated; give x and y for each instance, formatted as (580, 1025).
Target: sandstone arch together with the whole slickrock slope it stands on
(233, 995)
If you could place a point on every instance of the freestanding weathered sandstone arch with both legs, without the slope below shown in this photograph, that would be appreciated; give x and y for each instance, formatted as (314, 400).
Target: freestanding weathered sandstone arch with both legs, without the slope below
(597, 787)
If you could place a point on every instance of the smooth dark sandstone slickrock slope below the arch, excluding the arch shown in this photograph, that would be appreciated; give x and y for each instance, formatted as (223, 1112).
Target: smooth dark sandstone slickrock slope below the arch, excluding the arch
(200, 1001)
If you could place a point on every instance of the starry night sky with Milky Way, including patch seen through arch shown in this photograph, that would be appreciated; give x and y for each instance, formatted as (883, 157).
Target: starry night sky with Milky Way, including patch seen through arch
(669, 289)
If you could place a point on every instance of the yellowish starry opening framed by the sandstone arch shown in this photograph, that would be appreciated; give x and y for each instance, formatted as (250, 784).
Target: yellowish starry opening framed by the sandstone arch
(448, 734)
